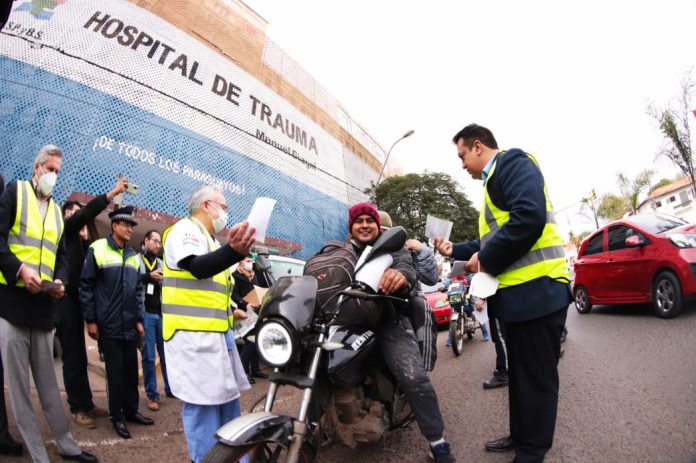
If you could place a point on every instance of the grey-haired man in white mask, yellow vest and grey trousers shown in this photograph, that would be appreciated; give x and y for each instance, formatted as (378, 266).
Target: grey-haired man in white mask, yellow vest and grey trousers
(31, 225)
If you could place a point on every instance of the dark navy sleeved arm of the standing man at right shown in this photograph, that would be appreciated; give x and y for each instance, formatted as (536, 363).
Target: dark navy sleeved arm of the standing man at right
(518, 187)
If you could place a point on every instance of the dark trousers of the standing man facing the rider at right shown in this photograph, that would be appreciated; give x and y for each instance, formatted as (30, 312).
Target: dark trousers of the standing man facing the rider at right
(533, 352)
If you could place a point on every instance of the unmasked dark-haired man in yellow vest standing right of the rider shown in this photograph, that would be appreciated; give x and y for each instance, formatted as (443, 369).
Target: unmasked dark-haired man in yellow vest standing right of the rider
(519, 244)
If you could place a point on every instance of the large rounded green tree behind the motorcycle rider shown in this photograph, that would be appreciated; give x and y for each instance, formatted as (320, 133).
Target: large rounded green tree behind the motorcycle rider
(410, 198)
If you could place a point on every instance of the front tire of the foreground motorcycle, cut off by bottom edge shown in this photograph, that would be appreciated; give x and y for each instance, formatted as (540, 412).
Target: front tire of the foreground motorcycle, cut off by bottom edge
(269, 452)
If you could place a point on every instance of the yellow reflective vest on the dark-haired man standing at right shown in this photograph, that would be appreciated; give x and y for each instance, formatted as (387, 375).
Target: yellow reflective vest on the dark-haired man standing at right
(545, 258)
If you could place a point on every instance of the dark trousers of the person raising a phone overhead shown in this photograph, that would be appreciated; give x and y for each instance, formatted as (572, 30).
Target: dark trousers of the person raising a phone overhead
(70, 329)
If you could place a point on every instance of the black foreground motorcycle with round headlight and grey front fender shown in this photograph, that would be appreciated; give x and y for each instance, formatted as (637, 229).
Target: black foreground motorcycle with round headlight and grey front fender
(349, 394)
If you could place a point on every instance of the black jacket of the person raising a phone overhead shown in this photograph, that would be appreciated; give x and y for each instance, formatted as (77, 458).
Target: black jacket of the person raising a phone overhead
(73, 247)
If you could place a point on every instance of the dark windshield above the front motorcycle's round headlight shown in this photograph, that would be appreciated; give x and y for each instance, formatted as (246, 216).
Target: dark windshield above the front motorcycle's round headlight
(292, 298)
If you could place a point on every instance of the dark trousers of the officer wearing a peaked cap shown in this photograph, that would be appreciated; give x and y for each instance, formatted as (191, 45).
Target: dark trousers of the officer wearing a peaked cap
(121, 359)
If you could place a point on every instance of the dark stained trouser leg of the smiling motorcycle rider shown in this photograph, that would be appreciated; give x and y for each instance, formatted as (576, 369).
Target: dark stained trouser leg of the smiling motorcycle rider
(400, 352)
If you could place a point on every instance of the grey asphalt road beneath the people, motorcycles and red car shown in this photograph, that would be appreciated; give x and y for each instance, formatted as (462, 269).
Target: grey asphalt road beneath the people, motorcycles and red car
(628, 394)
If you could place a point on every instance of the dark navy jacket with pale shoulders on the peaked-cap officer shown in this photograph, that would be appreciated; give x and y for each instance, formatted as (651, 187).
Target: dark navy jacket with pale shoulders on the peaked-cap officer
(112, 297)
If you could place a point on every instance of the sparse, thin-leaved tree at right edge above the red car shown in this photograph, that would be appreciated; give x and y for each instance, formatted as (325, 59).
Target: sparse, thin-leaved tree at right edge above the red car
(674, 125)
